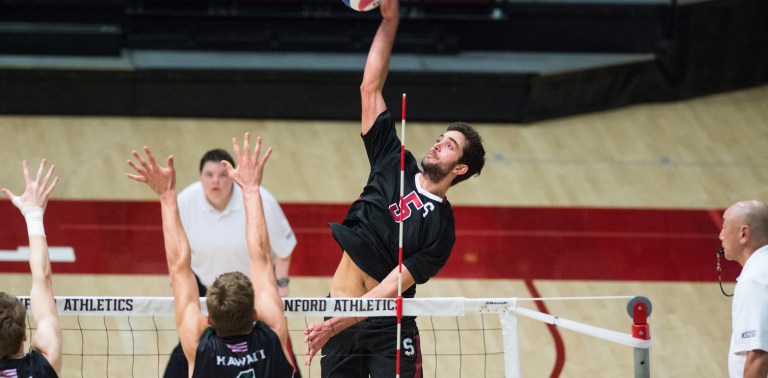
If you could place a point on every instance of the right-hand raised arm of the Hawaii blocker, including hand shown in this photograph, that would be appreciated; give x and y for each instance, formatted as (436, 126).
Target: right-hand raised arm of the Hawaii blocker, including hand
(248, 175)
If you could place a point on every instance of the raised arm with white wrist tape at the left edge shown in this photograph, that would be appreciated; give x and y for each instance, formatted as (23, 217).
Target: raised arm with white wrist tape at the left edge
(47, 339)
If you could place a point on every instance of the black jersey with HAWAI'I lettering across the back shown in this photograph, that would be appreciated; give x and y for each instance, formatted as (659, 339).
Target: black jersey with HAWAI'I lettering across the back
(257, 354)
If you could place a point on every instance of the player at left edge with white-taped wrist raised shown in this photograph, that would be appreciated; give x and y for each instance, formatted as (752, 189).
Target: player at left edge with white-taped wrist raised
(44, 357)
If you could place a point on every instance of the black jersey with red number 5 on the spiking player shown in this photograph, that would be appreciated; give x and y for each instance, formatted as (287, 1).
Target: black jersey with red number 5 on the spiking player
(369, 234)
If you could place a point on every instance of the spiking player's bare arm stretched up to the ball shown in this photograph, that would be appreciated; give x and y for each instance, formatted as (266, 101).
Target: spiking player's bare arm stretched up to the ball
(377, 64)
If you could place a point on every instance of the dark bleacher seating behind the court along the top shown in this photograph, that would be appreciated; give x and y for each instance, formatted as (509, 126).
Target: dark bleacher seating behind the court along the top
(498, 52)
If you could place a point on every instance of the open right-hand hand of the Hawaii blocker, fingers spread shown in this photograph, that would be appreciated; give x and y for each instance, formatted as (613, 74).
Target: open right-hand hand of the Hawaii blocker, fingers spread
(250, 167)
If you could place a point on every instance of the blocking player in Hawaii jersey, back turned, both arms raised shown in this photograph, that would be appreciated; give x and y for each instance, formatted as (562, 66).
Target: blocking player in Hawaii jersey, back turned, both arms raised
(245, 333)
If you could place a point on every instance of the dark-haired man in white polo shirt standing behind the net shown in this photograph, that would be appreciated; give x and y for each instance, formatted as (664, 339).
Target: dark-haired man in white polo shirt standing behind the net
(213, 217)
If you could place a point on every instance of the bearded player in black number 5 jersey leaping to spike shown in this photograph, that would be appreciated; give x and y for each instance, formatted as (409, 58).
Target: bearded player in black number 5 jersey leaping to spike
(357, 347)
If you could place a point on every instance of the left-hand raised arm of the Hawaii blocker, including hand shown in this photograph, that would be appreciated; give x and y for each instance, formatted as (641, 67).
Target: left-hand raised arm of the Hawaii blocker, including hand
(189, 318)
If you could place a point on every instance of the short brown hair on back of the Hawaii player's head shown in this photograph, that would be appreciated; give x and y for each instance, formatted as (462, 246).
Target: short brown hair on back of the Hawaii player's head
(230, 304)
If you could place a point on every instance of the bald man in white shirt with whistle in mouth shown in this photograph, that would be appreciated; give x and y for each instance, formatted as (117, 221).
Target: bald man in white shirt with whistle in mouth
(745, 240)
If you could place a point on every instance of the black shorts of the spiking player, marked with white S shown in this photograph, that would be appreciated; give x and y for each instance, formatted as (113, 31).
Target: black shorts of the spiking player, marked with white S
(368, 348)
